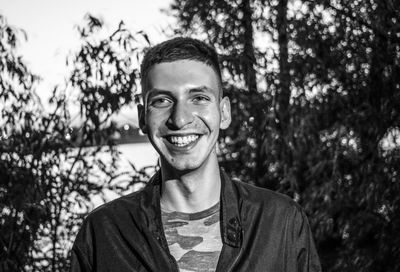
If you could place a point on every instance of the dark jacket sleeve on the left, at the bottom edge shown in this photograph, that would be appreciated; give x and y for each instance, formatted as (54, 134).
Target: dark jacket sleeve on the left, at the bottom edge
(82, 250)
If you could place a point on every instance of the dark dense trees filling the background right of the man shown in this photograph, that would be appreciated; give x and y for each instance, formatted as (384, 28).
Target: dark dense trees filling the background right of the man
(323, 109)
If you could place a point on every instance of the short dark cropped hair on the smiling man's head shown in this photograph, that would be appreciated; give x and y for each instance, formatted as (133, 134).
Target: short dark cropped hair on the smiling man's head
(179, 48)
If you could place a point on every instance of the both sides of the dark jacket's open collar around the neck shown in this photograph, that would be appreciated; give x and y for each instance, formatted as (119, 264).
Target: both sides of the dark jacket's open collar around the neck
(231, 227)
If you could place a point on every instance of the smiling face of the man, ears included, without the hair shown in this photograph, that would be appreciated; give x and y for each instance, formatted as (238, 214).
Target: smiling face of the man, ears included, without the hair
(183, 113)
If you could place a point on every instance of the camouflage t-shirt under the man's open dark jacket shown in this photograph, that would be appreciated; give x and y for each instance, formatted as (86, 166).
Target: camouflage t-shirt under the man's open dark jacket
(194, 239)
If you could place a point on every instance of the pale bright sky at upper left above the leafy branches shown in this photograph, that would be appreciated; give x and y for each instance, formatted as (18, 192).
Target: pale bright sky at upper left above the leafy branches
(50, 28)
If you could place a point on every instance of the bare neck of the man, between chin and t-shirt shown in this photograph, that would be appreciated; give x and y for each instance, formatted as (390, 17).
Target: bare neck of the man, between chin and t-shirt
(191, 191)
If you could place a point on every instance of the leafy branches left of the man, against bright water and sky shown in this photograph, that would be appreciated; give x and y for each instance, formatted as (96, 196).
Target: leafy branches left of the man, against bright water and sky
(48, 169)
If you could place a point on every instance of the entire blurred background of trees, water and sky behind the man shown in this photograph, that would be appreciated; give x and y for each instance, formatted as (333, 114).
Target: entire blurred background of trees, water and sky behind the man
(315, 93)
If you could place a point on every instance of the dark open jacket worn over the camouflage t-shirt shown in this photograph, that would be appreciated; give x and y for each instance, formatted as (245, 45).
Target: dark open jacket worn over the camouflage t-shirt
(261, 231)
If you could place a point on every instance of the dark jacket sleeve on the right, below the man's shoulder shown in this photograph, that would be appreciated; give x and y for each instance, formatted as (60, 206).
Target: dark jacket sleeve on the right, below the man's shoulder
(306, 254)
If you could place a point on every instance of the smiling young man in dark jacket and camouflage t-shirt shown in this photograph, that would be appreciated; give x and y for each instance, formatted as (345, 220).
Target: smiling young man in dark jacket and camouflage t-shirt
(191, 216)
